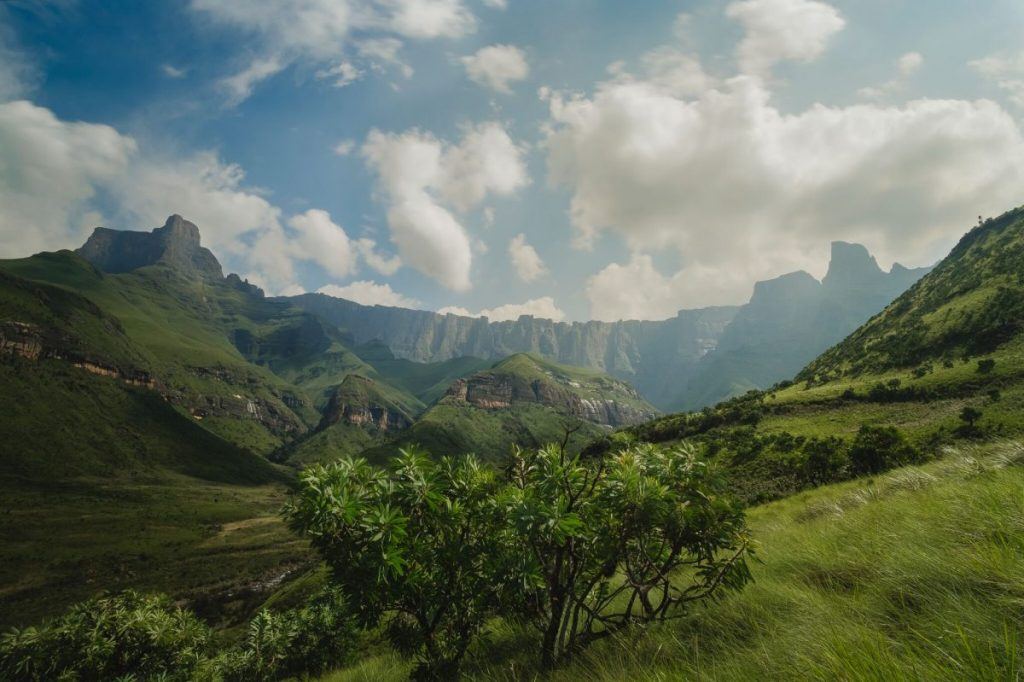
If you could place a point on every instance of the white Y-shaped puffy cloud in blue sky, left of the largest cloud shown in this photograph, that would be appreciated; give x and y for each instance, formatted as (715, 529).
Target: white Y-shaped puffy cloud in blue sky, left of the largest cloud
(423, 178)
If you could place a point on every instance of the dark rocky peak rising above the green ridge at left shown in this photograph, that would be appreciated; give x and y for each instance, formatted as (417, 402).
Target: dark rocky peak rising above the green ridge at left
(176, 245)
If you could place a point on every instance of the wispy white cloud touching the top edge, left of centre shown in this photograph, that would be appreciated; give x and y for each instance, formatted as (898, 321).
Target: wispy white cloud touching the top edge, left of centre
(326, 31)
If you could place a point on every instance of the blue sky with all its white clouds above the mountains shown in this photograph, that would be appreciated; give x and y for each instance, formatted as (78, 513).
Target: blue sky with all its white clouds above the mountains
(567, 159)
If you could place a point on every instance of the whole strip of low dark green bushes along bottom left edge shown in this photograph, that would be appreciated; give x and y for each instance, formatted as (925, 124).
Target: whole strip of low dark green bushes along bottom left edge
(135, 636)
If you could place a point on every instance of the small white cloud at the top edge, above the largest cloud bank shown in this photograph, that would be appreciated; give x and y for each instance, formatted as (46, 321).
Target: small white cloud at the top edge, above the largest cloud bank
(783, 30)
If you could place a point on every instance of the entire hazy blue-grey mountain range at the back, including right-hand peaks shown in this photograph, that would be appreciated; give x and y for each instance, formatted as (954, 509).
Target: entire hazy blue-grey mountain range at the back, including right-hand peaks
(694, 360)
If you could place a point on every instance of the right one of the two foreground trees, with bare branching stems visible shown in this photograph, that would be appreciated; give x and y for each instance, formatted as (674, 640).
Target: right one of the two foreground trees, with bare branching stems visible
(629, 538)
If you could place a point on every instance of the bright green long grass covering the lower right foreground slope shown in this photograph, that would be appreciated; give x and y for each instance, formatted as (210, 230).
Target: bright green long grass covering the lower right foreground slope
(915, 575)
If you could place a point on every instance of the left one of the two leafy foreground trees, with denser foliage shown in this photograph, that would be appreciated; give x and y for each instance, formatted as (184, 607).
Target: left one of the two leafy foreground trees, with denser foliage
(416, 548)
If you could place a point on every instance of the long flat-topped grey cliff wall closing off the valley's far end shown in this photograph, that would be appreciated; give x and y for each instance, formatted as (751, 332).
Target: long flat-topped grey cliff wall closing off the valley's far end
(652, 356)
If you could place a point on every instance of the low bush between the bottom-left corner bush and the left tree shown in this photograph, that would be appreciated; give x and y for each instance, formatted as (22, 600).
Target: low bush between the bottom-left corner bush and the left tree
(311, 641)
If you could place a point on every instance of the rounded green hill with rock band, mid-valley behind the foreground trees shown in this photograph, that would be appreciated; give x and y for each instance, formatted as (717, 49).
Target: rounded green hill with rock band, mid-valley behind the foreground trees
(524, 400)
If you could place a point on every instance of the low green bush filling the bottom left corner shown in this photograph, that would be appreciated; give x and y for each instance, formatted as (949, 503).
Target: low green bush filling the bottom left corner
(127, 635)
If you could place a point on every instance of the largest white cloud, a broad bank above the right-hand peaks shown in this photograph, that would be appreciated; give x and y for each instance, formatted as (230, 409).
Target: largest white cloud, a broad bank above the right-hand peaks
(732, 184)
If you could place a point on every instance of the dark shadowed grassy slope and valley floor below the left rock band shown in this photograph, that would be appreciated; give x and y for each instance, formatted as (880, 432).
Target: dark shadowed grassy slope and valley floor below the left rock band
(105, 487)
